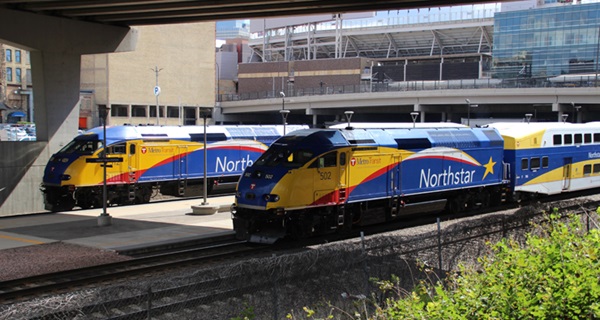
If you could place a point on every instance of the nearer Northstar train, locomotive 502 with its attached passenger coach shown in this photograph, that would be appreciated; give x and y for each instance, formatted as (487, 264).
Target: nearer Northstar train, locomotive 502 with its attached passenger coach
(317, 181)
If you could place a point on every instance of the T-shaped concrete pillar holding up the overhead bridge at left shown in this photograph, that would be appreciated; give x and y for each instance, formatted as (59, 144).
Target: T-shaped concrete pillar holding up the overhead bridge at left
(56, 46)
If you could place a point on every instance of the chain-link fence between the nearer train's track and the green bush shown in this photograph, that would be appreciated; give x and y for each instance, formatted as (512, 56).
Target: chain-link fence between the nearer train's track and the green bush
(332, 279)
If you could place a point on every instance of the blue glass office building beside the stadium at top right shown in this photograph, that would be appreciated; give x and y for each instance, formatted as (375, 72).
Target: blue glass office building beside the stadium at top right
(545, 42)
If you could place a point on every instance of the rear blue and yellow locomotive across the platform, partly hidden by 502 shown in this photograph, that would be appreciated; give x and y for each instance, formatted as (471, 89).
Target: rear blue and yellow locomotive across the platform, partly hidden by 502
(169, 159)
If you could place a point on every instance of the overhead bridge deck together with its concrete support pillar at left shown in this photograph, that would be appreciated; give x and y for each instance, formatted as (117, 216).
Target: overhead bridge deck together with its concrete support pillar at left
(58, 32)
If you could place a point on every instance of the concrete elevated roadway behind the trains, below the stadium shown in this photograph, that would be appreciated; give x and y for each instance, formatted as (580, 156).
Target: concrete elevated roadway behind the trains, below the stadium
(545, 104)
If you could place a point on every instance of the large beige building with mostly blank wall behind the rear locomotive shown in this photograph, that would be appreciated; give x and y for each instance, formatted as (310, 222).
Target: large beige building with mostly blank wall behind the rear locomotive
(180, 57)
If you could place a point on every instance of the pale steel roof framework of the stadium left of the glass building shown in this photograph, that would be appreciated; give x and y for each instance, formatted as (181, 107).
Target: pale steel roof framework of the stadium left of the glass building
(307, 42)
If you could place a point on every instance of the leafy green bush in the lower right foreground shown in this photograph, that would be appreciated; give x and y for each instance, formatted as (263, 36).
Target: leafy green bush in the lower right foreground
(556, 275)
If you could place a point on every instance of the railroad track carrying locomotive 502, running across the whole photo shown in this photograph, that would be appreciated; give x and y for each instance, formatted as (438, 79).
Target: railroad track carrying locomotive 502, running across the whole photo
(64, 281)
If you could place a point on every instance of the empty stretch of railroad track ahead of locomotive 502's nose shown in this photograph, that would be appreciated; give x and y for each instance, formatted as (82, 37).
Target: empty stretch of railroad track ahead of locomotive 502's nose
(63, 281)
